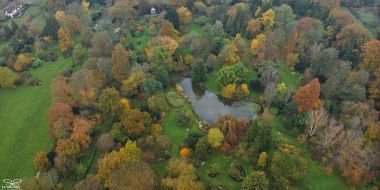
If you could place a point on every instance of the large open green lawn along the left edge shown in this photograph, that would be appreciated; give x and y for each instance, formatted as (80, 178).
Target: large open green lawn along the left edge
(23, 122)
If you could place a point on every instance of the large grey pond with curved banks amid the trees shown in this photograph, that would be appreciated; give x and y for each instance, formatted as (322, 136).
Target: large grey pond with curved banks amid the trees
(208, 106)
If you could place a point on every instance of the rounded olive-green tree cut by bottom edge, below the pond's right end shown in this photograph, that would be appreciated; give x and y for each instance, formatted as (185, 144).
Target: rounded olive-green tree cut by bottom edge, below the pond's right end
(256, 181)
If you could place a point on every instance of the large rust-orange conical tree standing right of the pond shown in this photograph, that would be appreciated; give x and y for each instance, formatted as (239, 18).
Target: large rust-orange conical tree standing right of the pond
(307, 96)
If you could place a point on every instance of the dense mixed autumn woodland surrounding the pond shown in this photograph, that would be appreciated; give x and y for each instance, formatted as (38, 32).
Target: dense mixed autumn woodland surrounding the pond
(335, 112)
